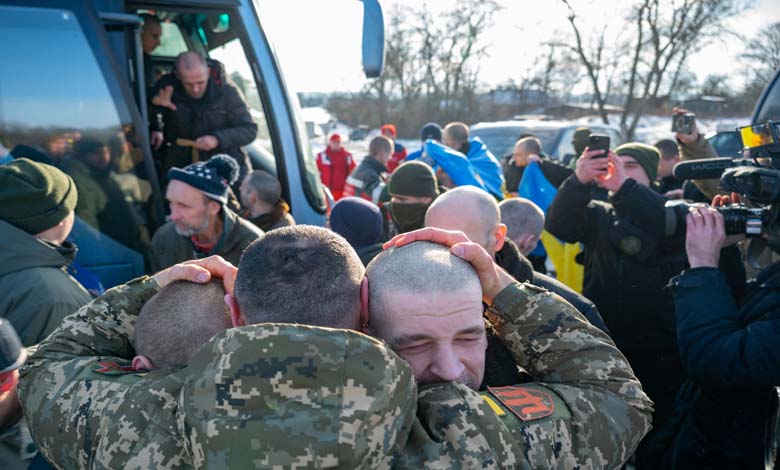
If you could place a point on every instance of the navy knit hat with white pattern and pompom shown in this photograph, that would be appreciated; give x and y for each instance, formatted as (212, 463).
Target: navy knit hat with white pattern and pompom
(213, 177)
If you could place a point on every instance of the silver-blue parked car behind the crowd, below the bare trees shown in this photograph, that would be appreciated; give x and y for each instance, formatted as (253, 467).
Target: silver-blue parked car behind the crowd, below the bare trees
(500, 137)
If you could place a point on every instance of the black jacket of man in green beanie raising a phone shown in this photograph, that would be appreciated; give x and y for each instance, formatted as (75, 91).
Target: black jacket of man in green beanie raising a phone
(626, 273)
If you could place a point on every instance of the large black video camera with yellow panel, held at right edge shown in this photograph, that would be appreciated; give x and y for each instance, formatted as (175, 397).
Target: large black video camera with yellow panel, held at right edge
(756, 177)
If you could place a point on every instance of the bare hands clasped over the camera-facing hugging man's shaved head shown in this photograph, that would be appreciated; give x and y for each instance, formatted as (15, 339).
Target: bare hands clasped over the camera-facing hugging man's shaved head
(492, 278)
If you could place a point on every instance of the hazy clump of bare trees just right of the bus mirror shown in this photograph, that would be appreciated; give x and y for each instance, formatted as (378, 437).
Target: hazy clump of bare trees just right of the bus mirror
(431, 66)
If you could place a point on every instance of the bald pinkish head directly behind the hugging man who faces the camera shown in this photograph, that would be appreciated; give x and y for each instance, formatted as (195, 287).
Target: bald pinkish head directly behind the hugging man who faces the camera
(468, 209)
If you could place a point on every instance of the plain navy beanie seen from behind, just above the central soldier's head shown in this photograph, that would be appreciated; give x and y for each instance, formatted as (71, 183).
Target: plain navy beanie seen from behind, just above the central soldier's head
(357, 220)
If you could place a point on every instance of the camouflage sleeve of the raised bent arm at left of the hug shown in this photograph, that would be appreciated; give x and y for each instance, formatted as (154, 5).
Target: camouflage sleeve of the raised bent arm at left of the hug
(64, 409)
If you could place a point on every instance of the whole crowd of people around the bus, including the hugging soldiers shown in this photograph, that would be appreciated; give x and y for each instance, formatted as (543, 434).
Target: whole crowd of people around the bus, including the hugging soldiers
(419, 329)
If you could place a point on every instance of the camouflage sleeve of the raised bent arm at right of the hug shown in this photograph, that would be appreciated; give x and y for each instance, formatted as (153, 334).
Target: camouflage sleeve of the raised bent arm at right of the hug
(580, 365)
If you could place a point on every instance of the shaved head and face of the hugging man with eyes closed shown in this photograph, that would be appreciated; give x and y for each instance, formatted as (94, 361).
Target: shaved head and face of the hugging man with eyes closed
(427, 304)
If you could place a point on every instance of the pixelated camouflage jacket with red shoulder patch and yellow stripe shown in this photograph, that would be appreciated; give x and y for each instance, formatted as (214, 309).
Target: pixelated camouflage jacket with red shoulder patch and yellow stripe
(586, 408)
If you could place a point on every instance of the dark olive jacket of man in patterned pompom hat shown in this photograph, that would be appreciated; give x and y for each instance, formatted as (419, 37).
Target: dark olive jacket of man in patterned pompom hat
(169, 248)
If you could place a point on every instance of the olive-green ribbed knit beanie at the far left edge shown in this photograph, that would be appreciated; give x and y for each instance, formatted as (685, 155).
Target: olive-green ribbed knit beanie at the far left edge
(34, 196)
